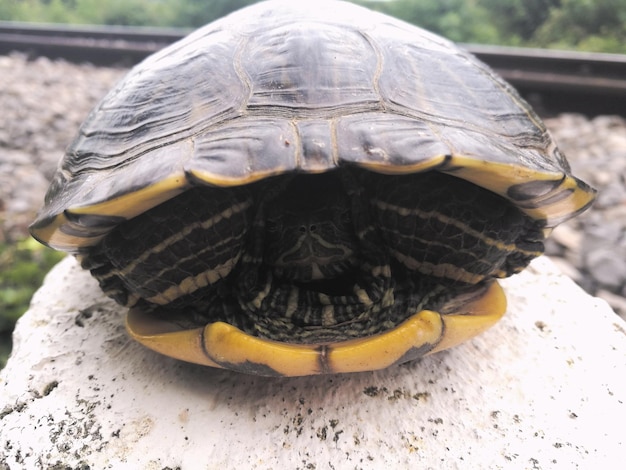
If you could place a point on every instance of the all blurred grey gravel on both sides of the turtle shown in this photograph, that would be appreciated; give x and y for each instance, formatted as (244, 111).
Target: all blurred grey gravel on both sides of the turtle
(43, 102)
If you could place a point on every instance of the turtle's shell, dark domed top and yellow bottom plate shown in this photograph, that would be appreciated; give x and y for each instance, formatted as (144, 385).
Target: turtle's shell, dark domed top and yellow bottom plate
(282, 88)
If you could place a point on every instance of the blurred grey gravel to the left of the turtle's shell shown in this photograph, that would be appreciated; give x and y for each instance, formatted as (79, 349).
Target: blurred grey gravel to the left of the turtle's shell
(43, 102)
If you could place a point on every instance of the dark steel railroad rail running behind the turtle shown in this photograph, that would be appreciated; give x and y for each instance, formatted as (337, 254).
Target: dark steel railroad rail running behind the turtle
(553, 81)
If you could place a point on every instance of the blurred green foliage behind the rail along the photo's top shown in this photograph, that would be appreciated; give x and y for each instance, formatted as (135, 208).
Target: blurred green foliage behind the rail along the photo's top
(584, 24)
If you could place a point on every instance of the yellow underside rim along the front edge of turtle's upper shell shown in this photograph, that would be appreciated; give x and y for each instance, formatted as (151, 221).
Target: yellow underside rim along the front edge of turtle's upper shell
(496, 177)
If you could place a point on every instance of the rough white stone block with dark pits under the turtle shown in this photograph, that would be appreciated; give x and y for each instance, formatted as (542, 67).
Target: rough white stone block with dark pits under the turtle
(545, 388)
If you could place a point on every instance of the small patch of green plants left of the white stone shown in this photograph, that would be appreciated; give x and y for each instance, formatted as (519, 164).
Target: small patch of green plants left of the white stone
(23, 266)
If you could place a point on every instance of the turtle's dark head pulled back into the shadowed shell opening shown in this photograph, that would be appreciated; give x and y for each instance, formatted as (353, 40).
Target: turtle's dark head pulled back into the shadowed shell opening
(309, 232)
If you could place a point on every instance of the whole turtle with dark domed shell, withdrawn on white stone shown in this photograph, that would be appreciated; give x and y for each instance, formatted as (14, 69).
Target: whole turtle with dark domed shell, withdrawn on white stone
(307, 188)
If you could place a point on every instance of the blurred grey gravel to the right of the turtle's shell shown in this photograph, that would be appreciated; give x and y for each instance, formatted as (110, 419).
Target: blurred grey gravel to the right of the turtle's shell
(591, 248)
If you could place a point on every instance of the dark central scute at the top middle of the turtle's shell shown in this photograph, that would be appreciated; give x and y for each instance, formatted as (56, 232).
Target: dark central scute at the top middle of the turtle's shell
(316, 66)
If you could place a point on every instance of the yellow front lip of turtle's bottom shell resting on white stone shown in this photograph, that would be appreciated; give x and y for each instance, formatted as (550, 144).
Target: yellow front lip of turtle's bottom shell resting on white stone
(222, 345)
